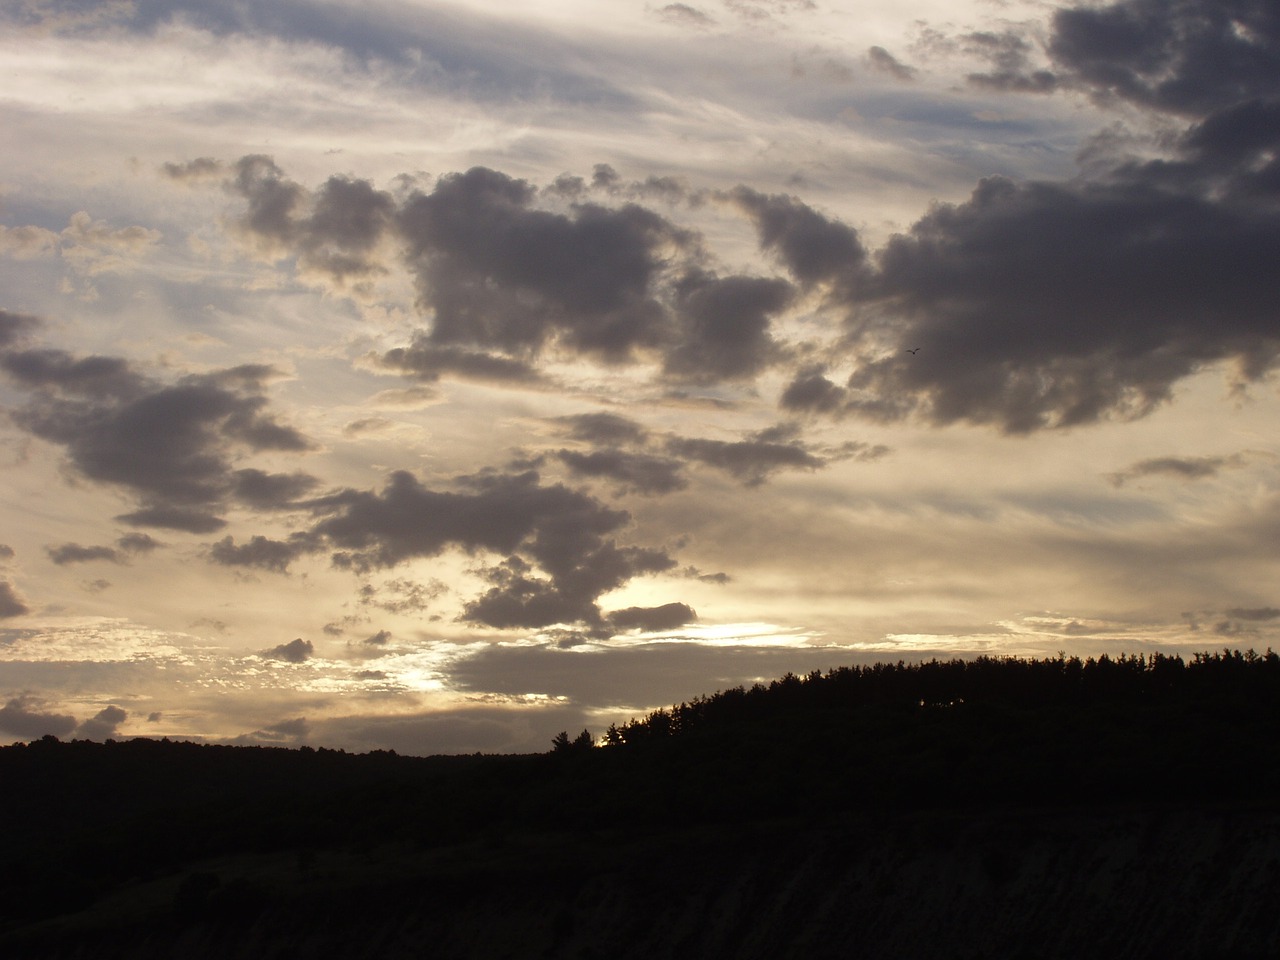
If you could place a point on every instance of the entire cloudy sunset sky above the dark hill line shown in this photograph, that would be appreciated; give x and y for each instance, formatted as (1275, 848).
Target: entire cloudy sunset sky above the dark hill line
(440, 377)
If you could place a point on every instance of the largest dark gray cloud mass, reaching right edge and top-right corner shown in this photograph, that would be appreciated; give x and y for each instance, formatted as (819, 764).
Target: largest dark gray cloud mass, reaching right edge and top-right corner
(1043, 304)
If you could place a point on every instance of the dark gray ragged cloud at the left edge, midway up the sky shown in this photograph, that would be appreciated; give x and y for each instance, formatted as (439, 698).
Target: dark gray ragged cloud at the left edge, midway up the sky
(172, 446)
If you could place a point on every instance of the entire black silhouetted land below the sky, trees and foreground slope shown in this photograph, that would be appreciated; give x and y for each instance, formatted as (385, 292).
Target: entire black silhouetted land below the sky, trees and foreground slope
(982, 810)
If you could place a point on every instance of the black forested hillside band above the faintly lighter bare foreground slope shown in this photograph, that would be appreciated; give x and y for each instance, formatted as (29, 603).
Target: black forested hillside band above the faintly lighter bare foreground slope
(84, 819)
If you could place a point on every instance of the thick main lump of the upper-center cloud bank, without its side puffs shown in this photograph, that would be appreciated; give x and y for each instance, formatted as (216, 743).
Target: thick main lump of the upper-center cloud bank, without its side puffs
(499, 273)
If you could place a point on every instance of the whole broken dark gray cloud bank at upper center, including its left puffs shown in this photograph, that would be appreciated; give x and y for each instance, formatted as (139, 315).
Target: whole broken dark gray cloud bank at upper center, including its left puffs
(502, 280)
